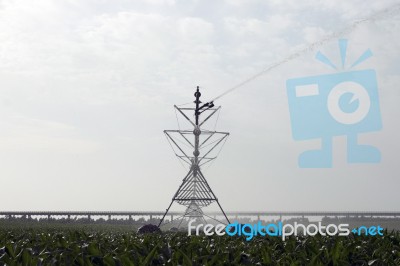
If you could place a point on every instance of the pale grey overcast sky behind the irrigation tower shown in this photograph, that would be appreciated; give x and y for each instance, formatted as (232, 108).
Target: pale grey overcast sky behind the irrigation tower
(87, 88)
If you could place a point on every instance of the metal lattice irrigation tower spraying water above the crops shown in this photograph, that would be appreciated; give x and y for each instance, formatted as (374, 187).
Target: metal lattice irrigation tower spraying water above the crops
(195, 192)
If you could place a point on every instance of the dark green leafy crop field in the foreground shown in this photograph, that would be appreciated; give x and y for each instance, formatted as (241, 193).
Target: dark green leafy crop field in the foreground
(115, 246)
